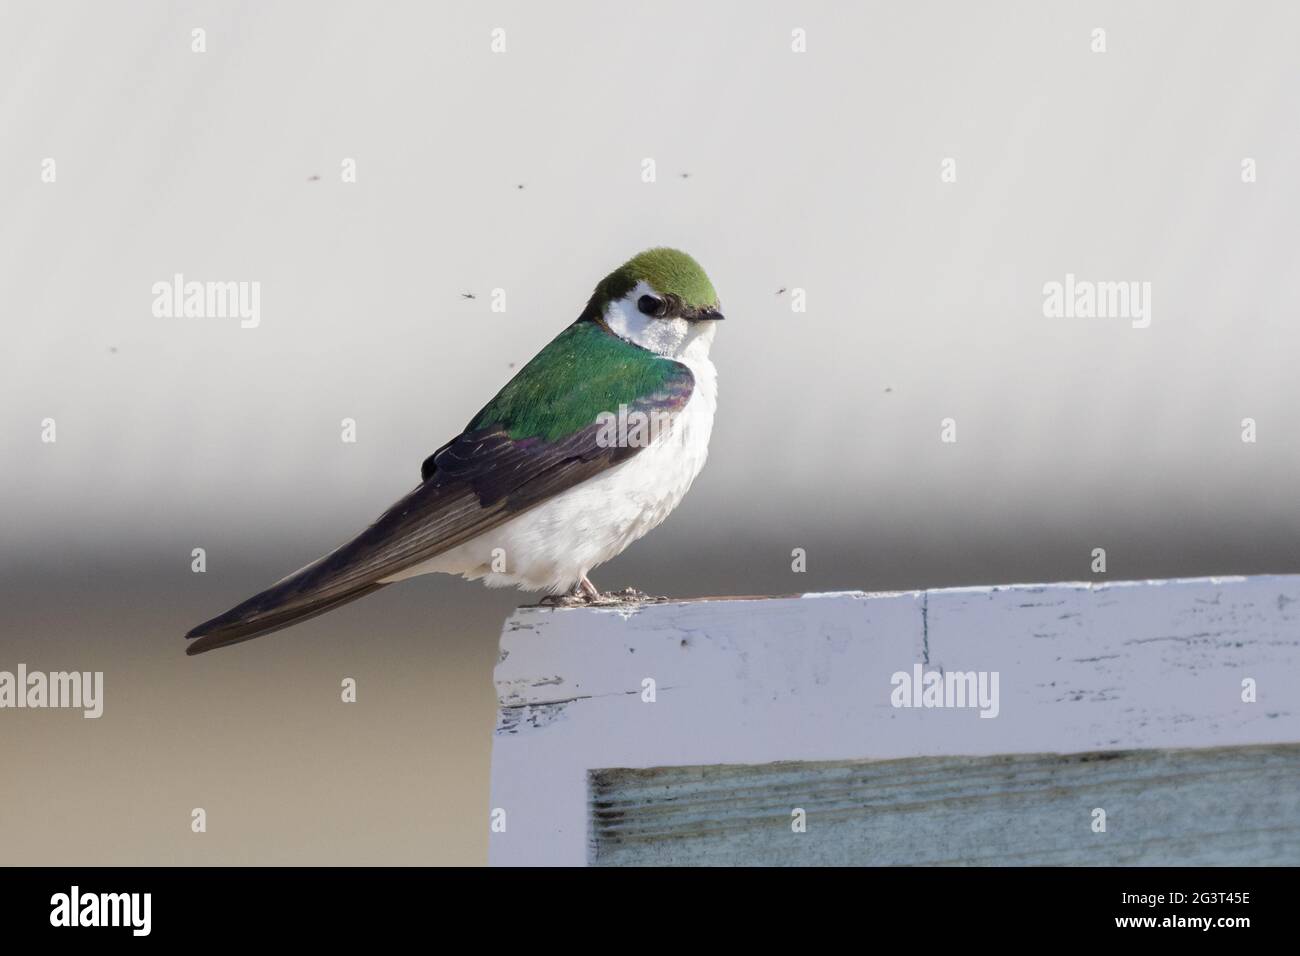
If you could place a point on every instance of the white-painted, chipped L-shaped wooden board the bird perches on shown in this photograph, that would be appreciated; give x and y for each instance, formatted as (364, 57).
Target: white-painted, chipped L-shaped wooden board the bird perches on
(1082, 668)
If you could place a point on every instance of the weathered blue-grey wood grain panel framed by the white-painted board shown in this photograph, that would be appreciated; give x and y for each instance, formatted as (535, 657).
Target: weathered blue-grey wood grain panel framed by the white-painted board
(1212, 807)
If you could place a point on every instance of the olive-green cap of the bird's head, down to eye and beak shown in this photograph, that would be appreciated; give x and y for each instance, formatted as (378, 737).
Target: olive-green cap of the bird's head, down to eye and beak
(664, 283)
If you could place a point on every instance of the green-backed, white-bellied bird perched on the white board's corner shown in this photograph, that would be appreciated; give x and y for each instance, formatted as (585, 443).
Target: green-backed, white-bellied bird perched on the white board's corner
(545, 483)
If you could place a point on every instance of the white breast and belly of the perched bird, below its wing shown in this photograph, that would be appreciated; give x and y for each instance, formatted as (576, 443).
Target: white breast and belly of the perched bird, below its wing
(556, 544)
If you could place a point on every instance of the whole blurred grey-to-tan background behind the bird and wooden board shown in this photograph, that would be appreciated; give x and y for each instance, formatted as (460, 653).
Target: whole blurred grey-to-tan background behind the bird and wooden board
(818, 171)
